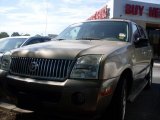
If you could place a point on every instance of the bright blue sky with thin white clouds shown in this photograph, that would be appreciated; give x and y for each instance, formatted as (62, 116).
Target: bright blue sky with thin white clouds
(46, 16)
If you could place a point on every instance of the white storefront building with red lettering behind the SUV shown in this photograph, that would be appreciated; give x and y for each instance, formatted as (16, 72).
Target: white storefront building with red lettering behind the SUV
(145, 14)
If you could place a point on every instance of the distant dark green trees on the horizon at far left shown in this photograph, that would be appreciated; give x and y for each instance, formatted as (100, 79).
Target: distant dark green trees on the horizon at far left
(5, 34)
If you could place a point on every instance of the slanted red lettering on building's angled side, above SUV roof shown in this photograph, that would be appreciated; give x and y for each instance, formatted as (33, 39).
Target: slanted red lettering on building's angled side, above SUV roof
(100, 14)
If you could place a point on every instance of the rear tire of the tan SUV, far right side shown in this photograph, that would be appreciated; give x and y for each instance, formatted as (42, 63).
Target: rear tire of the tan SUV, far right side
(149, 78)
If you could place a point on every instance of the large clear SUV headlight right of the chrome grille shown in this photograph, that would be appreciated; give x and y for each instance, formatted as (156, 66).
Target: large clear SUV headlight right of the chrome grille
(86, 67)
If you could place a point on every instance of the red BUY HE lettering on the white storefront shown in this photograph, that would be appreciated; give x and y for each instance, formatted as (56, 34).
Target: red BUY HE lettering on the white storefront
(131, 9)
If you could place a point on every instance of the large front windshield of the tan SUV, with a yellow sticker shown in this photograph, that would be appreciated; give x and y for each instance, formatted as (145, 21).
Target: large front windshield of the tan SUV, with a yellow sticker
(96, 30)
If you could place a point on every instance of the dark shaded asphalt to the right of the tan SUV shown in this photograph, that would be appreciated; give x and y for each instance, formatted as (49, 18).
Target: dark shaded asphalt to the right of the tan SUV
(147, 105)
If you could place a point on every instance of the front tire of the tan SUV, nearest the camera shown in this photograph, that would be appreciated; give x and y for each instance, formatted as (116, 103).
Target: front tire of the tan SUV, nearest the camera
(119, 101)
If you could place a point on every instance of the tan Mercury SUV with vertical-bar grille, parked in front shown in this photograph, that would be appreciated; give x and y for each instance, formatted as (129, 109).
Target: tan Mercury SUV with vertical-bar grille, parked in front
(91, 67)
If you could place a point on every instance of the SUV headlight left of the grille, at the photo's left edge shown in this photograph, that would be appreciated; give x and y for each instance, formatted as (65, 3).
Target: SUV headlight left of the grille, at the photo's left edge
(6, 60)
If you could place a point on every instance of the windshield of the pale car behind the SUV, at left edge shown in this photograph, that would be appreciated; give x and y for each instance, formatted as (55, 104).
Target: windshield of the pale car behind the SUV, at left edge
(7, 44)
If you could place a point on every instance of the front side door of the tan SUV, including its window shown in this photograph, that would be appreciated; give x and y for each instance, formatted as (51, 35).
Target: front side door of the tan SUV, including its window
(139, 61)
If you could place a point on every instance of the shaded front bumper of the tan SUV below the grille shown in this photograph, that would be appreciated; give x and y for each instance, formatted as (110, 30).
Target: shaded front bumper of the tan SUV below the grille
(74, 96)
